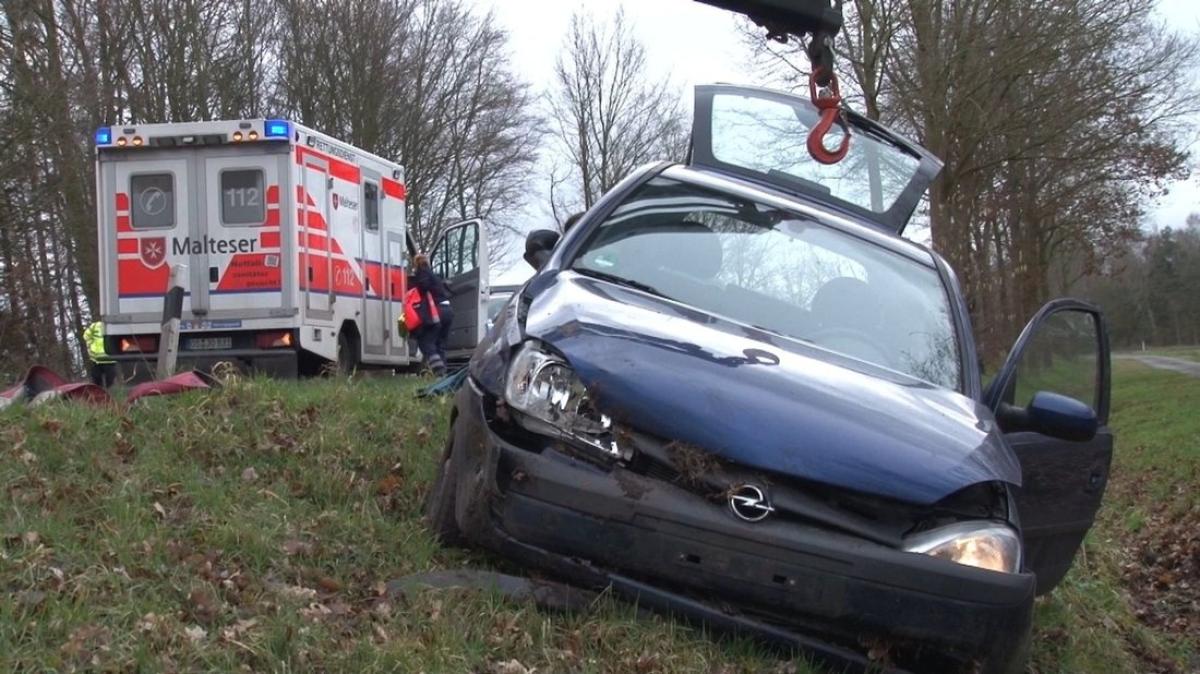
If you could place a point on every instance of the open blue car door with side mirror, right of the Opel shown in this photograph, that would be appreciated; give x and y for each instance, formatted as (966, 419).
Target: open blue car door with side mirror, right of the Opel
(1057, 378)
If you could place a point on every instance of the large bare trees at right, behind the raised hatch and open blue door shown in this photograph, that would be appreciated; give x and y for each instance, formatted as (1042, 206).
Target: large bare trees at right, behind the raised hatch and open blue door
(1058, 124)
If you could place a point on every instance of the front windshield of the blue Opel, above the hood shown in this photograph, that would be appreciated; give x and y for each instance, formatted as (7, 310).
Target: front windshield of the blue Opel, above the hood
(782, 273)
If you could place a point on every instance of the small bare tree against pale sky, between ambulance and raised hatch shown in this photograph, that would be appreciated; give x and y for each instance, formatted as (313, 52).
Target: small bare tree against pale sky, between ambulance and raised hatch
(609, 115)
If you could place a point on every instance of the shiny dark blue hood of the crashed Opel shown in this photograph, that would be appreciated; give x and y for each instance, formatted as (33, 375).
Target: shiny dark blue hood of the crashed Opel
(767, 402)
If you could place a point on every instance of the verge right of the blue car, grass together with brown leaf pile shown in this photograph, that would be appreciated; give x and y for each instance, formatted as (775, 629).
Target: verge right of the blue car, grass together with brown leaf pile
(1132, 601)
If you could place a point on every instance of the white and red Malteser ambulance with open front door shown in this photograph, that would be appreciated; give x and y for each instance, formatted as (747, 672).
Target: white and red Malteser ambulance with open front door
(293, 249)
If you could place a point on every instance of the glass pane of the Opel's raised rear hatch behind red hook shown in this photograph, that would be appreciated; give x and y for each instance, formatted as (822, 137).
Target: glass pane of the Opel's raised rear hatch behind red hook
(770, 137)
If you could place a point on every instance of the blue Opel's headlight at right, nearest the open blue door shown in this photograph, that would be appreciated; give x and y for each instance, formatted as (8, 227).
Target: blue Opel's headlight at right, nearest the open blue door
(987, 545)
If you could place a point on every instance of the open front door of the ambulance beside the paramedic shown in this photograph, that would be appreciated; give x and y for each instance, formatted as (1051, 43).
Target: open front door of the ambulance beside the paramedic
(460, 258)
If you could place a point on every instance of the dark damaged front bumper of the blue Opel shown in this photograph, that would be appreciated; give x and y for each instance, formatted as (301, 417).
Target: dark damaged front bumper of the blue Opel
(668, 546)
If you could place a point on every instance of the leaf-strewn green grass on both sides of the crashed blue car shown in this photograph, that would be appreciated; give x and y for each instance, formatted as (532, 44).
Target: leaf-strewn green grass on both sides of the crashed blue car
(255, 527)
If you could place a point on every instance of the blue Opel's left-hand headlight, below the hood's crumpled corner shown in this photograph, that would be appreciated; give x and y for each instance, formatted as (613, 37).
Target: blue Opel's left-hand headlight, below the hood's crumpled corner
(553, 401)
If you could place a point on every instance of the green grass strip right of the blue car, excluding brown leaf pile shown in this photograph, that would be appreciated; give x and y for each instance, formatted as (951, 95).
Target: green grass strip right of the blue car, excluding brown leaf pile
(1088, 624)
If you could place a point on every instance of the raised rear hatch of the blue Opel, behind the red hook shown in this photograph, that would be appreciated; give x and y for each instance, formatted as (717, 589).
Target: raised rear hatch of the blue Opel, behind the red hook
(763, 136)
